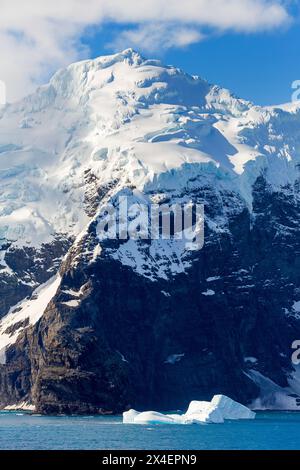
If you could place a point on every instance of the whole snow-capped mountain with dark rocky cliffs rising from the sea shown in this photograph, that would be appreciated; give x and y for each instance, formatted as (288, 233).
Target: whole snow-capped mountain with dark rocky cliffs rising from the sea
(91, 325)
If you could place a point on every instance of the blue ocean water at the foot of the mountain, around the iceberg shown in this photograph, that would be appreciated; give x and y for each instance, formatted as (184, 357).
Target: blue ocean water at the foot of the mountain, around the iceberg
(270, 430)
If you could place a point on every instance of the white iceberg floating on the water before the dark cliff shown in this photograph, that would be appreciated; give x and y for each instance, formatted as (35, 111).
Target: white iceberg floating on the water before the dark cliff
(219, 409)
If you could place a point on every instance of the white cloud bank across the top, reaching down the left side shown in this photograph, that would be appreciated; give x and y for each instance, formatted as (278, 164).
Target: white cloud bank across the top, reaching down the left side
(39, 36)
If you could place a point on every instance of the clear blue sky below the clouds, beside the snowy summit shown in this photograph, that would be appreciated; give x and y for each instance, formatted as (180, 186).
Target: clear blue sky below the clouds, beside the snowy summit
(258, 67)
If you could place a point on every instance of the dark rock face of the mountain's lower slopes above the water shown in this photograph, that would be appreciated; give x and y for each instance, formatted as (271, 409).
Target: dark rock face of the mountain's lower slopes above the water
(126, 341)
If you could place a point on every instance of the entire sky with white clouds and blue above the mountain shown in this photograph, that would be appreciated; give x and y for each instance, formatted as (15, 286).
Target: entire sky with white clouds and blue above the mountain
(248, 46)
